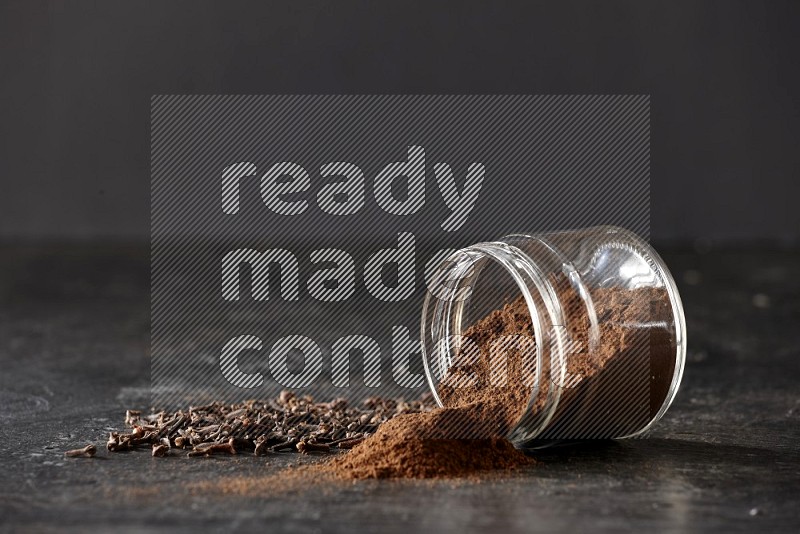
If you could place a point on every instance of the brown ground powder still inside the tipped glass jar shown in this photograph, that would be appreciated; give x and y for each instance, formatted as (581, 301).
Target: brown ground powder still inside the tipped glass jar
(614, 384)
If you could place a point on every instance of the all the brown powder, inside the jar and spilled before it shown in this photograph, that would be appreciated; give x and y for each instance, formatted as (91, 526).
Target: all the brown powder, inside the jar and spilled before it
(468, 436)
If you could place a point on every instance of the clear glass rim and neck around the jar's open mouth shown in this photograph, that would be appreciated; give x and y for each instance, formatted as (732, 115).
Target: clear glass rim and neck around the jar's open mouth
(471, 268)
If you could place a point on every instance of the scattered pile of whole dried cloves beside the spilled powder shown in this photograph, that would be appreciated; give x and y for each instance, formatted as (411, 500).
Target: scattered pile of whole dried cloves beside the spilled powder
(289, 422)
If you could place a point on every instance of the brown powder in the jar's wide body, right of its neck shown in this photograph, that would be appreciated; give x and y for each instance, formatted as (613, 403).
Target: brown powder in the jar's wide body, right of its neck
(617, 384)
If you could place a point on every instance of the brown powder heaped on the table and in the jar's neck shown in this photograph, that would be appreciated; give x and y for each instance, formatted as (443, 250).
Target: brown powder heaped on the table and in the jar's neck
(466, 437)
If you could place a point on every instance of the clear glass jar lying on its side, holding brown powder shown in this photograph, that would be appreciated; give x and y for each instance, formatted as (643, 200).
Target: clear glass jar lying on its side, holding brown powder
(589, 323)
